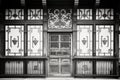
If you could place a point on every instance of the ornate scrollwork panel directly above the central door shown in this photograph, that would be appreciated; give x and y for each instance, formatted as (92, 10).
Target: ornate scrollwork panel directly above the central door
(60, 19)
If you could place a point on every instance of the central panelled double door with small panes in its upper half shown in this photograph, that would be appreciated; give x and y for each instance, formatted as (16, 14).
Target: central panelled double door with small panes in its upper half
(60, 46)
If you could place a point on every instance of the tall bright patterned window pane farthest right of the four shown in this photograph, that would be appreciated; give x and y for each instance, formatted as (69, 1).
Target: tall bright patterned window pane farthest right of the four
(104, 40)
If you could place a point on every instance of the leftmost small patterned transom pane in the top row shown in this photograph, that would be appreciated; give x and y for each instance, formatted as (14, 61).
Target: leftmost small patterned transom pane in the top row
(14, 14)
